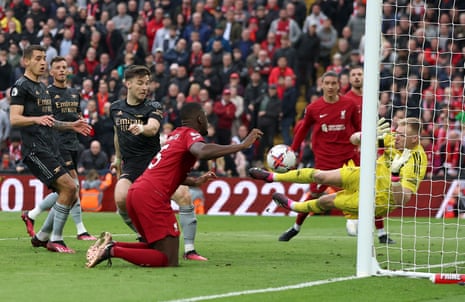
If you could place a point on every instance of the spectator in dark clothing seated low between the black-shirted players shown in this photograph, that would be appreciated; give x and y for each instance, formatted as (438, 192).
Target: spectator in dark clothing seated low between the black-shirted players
(93, 158)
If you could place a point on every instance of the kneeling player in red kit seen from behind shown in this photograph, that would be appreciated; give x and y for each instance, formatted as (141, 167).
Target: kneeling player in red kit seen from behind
(148, 200)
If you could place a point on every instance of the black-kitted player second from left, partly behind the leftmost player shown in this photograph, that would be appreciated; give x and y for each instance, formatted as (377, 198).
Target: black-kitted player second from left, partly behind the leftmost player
(66, 107)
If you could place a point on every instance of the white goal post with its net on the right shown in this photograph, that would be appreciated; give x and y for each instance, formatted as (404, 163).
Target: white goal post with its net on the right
(429, 246)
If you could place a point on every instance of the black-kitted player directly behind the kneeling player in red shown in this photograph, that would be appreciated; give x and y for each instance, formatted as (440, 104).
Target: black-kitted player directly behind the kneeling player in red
(137, 140)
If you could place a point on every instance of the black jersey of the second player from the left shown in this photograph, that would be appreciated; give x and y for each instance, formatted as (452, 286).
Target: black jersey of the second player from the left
(66, 108)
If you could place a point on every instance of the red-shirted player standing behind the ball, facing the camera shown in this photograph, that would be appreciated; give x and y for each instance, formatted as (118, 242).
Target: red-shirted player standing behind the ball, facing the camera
(333, 119)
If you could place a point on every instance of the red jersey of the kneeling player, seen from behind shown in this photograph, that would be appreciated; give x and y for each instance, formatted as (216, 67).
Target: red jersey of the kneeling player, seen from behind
(169, 168)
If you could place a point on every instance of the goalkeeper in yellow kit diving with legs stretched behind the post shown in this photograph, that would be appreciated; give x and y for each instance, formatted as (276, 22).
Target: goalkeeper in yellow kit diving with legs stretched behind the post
(399, 172)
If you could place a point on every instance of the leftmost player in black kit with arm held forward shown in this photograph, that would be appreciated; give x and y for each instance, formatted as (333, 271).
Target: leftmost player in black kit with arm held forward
(31, 111)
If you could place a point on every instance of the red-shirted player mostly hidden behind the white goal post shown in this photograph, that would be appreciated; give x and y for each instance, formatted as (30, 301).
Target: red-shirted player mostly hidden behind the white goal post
(356, 93)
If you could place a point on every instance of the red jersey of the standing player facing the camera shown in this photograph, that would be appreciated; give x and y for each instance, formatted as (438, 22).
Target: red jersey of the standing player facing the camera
(332, 125)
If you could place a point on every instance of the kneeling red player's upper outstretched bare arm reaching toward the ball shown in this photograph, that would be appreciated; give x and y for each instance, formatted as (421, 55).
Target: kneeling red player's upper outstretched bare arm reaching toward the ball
(211, 151)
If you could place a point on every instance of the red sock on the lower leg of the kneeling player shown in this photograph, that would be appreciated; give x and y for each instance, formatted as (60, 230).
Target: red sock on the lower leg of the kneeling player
(141, 256)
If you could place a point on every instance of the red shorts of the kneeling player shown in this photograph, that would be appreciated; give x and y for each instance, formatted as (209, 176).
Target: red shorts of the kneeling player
(153, 219)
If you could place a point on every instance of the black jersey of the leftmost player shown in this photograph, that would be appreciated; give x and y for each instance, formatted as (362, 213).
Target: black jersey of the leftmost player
(35, 99)
